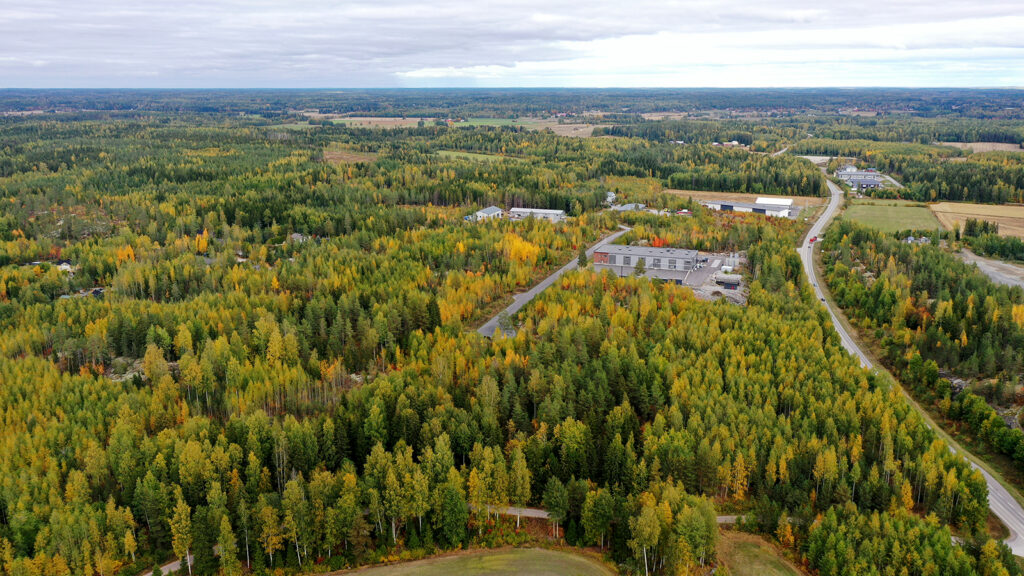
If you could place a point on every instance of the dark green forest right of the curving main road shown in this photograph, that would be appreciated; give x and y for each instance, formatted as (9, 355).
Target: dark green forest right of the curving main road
(933, 314)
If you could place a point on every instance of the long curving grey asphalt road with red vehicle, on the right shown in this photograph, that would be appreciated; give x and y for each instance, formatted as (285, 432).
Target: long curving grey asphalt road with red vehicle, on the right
(1000, 502)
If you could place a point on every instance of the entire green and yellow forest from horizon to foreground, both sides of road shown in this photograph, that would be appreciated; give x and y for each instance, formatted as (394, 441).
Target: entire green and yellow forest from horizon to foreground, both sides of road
(240, 334)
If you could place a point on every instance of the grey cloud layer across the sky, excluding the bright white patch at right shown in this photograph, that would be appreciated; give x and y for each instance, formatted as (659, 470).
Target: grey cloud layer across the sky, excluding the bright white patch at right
(361, 44)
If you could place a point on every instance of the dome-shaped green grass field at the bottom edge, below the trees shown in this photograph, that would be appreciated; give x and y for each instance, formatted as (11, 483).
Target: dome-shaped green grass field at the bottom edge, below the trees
(533, 562)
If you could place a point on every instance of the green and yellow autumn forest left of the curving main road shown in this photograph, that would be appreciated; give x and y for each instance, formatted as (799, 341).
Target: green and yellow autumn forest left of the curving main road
(224, 337)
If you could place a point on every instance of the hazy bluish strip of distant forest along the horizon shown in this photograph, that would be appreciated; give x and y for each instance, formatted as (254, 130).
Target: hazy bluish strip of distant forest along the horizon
(987, 104)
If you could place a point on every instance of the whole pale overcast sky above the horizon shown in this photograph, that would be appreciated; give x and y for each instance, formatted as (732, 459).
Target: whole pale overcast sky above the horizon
(385, 44)
